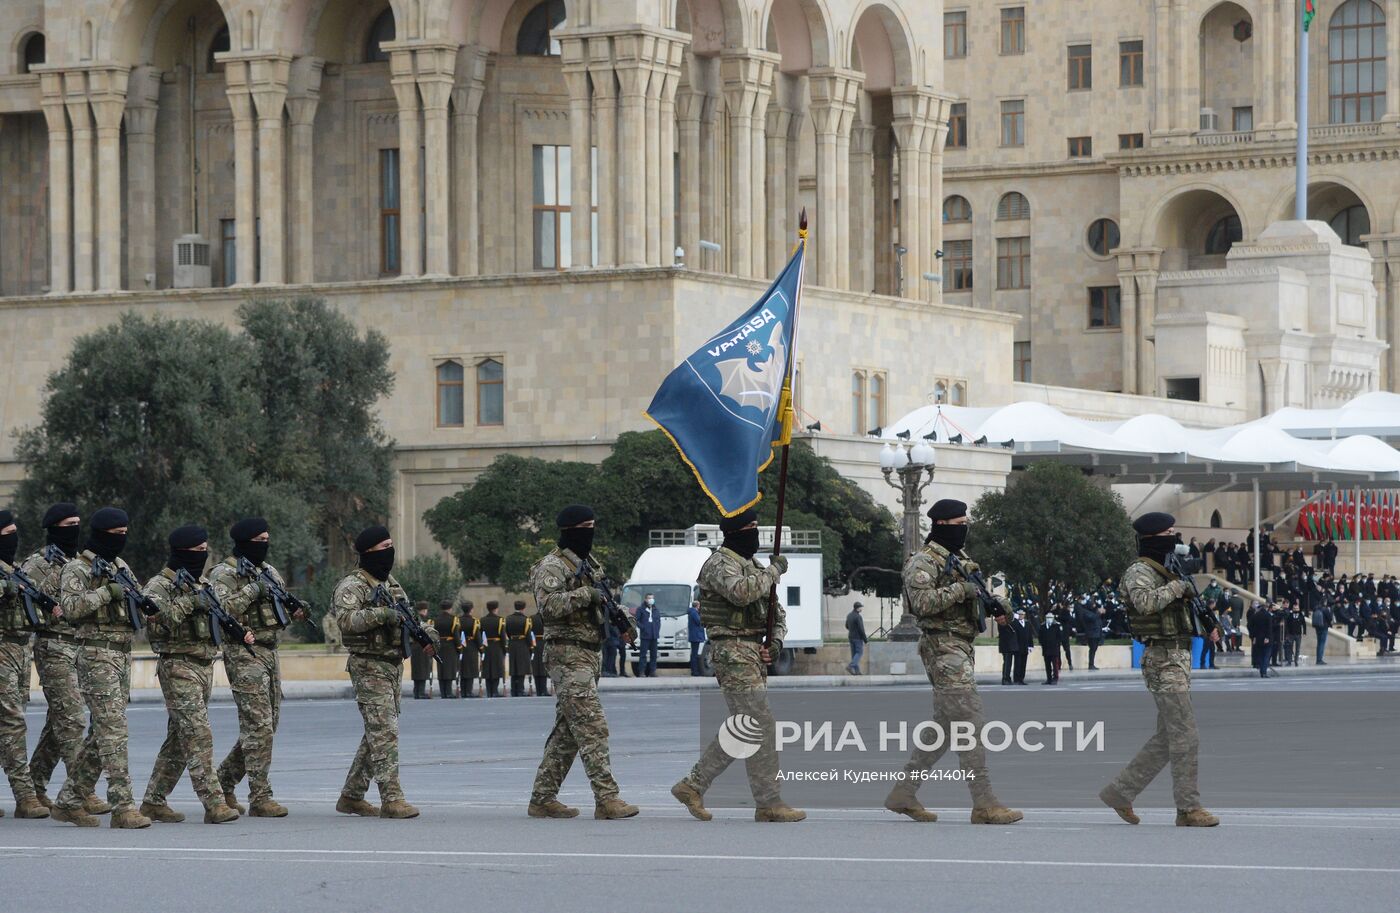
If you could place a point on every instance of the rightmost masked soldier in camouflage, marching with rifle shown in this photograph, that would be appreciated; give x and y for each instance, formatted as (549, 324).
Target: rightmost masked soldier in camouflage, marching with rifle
(1163, 620)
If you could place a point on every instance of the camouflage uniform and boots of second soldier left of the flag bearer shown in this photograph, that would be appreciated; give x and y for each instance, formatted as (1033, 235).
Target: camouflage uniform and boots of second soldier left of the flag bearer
(374, 638)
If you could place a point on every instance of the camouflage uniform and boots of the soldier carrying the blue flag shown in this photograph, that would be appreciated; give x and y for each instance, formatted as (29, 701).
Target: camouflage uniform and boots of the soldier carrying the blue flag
(734, 607)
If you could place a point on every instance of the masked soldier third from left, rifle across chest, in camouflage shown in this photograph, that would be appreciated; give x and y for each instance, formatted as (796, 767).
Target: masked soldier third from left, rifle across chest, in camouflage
(99, 611)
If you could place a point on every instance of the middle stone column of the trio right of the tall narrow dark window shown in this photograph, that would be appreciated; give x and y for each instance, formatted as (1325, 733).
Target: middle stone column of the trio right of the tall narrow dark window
(436, 65)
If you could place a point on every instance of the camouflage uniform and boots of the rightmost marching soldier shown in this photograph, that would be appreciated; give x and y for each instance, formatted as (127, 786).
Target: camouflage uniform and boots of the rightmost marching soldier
(1161, 620)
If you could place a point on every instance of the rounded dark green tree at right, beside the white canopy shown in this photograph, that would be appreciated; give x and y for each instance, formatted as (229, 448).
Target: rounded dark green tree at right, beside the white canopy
(1052, 524)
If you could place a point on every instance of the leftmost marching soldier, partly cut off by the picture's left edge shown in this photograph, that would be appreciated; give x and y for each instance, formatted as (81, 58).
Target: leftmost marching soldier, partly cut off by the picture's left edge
(16, 629)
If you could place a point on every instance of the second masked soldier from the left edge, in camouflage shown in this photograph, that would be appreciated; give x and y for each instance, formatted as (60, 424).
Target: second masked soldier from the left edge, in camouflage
(57, 657)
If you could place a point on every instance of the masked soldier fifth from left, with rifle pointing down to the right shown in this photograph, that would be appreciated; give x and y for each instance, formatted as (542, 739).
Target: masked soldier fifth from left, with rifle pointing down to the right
(257, 678)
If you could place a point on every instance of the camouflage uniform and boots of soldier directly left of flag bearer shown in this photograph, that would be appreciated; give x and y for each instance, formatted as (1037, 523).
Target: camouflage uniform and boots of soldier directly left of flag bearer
(575, 662)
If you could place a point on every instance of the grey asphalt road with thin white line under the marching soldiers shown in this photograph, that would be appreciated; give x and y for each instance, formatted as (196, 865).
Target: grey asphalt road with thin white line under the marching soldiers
(468, 765)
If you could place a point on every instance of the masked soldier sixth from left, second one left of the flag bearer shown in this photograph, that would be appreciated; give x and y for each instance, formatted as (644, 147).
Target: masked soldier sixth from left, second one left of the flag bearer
(363, 606)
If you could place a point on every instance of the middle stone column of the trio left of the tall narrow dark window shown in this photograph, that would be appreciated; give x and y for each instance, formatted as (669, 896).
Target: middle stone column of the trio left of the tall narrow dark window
(268, 85)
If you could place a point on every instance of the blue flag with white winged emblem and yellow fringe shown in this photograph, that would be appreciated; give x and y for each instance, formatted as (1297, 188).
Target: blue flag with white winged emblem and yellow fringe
(730, 403)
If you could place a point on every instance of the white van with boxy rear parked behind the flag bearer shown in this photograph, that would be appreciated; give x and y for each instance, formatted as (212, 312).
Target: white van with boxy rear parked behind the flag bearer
(670, 568)
